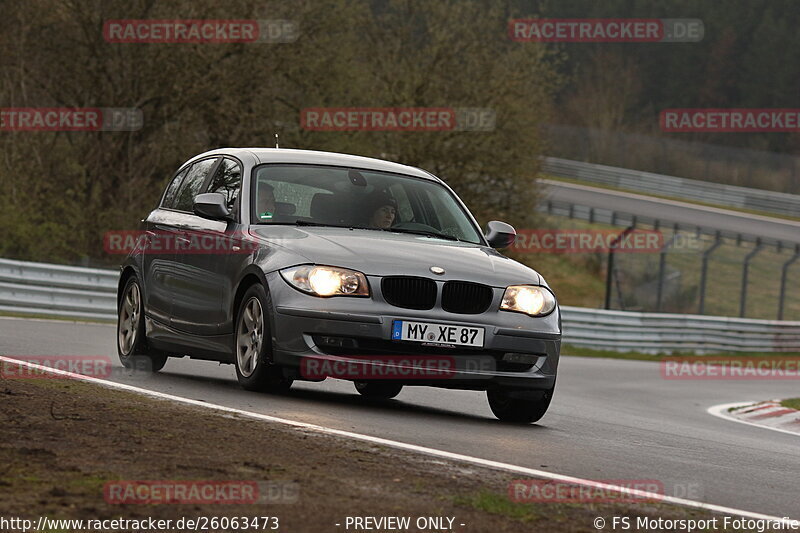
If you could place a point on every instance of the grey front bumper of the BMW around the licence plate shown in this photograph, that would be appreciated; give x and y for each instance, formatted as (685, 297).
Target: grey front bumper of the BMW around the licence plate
(520, 352)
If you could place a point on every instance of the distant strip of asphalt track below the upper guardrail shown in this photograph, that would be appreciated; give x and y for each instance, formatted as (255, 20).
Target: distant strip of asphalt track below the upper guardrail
(674, 211)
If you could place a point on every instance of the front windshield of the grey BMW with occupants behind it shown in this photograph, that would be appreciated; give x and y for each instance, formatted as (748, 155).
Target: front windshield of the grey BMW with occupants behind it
(337, 196)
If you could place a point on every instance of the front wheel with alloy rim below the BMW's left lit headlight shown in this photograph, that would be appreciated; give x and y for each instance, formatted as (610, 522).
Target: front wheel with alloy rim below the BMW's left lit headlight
(252, 344)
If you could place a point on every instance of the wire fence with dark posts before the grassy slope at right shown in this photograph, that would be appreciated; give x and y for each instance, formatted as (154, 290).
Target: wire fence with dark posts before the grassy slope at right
(695, 270)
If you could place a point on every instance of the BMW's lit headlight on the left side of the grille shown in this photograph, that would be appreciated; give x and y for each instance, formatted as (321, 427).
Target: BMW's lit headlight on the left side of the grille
(327, 281)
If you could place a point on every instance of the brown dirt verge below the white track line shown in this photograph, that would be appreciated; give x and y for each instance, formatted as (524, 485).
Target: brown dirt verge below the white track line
(63, 441)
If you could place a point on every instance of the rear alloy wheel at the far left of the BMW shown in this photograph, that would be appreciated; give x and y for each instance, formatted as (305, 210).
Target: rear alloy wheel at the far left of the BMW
(131, 340)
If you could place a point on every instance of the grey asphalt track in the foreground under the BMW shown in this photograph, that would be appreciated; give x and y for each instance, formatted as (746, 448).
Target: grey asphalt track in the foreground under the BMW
(610, 419)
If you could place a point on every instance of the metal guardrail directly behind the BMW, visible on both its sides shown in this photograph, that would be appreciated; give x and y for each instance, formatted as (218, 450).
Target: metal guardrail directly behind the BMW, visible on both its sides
(42, 289)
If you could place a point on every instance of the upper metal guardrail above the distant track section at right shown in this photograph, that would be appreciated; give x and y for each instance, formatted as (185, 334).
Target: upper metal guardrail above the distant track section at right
(648, 182)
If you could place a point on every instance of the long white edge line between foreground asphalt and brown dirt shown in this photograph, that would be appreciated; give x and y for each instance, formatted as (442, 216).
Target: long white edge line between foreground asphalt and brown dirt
(786, 521)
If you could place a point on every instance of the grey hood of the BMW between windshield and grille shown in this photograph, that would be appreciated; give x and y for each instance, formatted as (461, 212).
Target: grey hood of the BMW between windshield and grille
(385, 254)
